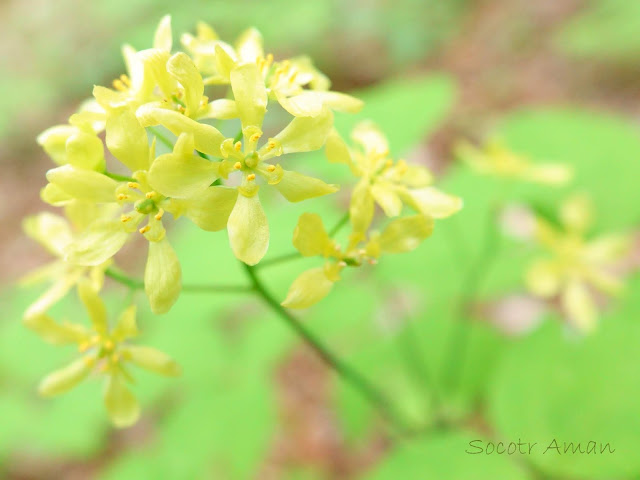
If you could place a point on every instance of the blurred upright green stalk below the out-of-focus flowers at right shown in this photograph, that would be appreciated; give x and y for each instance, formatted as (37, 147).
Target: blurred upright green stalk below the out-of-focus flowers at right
(459, 344)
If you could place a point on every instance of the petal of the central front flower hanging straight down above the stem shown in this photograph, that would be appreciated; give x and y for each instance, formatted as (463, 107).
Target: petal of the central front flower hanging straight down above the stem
(248, 230)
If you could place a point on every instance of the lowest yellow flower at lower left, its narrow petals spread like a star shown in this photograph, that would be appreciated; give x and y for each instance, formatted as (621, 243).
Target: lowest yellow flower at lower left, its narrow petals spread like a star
(106, 351)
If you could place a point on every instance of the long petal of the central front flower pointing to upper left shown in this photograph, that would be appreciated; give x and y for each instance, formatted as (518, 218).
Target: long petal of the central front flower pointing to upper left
(207, 139)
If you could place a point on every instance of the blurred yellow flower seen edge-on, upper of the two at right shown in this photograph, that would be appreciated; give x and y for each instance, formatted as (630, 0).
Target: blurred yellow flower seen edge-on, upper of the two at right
(496, 159)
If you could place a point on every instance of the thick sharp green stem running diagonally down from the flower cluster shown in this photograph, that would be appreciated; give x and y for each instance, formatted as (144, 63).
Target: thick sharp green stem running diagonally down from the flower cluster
(351, 376)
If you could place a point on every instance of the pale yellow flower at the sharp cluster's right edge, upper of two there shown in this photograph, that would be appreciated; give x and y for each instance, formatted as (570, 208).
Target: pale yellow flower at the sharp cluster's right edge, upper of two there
(385, 182)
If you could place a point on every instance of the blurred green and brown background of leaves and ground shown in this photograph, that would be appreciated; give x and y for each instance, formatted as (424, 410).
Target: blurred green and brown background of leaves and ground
(558, 80)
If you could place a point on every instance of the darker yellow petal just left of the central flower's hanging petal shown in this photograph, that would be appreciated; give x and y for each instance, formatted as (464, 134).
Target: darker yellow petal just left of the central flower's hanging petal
(211, 209)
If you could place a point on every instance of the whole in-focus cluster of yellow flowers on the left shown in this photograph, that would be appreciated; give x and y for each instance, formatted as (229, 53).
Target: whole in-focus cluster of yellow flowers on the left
(162, 159)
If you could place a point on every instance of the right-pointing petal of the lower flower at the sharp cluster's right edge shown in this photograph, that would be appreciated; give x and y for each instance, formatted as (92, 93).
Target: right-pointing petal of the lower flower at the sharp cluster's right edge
(405, 234)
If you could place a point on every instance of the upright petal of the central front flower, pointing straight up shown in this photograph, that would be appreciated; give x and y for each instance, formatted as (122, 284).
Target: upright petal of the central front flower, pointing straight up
(250, 94)
